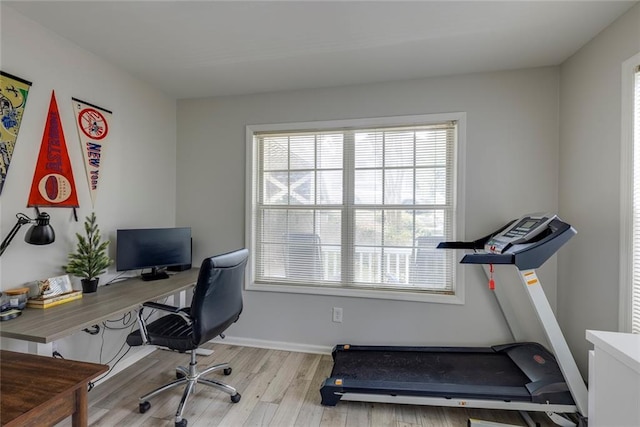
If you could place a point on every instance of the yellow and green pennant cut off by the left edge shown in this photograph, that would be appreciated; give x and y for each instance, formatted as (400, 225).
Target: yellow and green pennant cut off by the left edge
(13, 98)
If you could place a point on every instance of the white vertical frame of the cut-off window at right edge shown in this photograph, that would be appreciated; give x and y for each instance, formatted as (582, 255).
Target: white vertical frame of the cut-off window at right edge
(626, 194)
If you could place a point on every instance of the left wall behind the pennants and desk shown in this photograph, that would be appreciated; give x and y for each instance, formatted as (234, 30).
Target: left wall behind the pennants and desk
(137, 186)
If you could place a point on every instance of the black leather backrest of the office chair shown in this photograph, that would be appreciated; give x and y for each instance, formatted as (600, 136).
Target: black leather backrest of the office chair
(217, 299)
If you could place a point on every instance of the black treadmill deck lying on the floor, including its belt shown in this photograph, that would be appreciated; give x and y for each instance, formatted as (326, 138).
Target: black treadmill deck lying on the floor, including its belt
(524, 372)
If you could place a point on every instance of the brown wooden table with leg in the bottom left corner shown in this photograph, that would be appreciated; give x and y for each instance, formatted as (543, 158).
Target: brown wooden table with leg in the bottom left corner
(41, 391)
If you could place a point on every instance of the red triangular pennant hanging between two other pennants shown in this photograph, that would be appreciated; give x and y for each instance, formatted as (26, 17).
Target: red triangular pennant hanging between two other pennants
(53, 183)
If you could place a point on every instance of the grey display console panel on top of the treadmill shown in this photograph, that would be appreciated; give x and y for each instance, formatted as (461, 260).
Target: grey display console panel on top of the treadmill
(520, 231)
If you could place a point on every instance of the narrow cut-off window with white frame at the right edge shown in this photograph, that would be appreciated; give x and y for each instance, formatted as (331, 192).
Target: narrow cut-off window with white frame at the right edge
(630, 190)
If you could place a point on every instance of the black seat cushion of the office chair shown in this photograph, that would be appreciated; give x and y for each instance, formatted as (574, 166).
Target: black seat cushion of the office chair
(171, 331)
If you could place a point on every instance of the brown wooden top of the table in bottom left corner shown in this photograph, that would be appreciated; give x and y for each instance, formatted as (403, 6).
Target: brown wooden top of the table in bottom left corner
(28, 381)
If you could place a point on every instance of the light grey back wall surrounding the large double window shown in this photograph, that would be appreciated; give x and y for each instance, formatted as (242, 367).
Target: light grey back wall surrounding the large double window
(512, 164)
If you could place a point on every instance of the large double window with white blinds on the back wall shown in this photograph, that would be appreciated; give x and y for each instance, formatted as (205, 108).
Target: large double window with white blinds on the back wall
(356, 207)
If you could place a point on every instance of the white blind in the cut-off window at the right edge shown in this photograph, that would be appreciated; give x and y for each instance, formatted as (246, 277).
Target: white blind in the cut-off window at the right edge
(635, 305)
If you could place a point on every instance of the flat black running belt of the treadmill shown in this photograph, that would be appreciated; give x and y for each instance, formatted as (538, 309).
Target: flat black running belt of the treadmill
(440, 367)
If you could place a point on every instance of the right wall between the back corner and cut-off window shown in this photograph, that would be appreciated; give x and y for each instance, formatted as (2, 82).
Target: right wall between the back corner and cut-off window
(590, 111)
